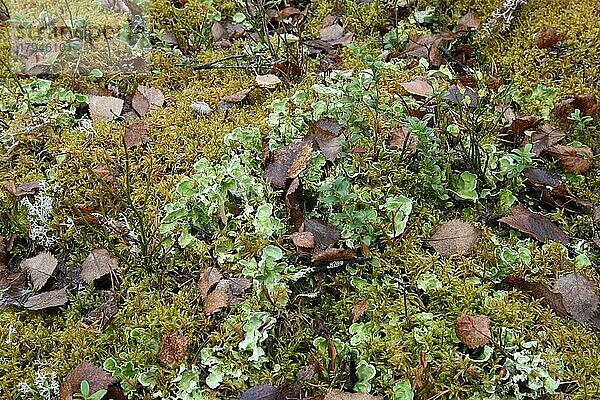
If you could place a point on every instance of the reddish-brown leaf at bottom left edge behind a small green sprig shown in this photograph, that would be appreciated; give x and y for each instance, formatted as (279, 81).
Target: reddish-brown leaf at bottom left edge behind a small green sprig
(97, 378)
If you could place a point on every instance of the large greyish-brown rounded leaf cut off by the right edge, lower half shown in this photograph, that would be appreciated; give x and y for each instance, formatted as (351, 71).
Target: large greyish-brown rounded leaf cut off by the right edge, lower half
(579, 295)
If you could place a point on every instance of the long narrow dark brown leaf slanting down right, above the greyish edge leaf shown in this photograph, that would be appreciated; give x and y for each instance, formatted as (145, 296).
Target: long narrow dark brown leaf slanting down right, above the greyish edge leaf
(534, 225)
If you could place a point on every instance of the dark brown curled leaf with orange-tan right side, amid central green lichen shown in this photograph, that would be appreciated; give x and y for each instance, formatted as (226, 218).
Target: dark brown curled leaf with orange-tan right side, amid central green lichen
(288, 162)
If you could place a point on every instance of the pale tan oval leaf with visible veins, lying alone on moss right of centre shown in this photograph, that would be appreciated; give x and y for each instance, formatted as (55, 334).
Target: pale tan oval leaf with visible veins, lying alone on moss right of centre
(454, 237)
